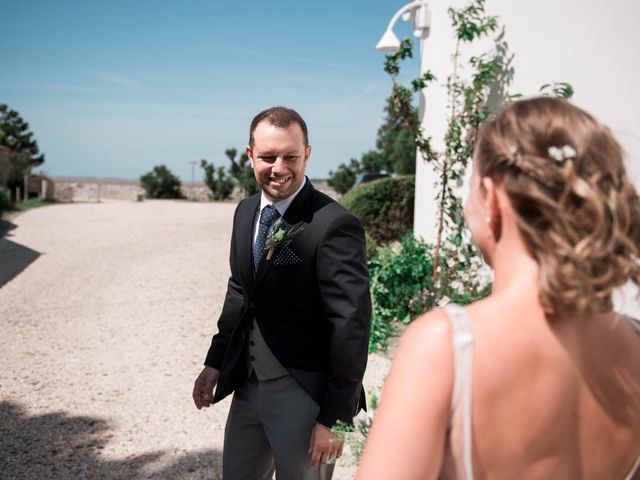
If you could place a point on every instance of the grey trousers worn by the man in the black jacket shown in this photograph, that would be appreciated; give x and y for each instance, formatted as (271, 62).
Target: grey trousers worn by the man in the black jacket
(269, 428)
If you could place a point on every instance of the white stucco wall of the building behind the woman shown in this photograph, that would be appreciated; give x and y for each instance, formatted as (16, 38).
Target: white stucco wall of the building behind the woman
(588, 43)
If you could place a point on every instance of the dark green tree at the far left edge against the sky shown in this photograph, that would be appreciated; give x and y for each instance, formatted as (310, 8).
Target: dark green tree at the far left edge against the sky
(16, 136)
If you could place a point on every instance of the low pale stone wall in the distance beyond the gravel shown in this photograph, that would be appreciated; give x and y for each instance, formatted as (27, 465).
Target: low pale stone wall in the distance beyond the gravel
(93, 190)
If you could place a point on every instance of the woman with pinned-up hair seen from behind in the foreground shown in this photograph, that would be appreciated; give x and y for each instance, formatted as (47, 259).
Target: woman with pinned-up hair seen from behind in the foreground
(540, 380)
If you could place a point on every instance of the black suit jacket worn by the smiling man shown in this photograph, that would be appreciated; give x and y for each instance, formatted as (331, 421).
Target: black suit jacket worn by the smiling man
(311, 302)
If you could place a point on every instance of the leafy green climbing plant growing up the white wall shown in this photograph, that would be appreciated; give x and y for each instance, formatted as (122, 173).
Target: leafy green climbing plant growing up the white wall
(468, 109)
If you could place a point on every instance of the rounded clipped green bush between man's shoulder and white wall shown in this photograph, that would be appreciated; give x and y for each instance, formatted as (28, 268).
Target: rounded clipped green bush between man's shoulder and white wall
(384, 207)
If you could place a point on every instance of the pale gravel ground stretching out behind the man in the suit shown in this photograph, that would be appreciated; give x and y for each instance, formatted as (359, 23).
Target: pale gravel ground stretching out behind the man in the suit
(106, 313)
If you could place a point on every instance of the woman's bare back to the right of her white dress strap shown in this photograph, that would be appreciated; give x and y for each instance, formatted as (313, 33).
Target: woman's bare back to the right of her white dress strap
(553, 400)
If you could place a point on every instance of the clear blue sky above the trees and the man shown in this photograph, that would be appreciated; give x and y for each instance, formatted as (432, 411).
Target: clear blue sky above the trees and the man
(111, 89)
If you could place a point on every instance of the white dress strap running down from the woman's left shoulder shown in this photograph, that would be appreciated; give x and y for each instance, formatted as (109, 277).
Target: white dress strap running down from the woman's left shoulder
(462, 340)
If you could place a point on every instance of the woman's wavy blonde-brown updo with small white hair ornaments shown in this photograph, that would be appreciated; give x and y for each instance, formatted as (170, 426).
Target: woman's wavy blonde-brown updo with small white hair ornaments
(576, 211)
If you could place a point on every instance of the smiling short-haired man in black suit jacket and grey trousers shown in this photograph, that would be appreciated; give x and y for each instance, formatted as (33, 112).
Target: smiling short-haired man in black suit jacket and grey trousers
(293, 333)
